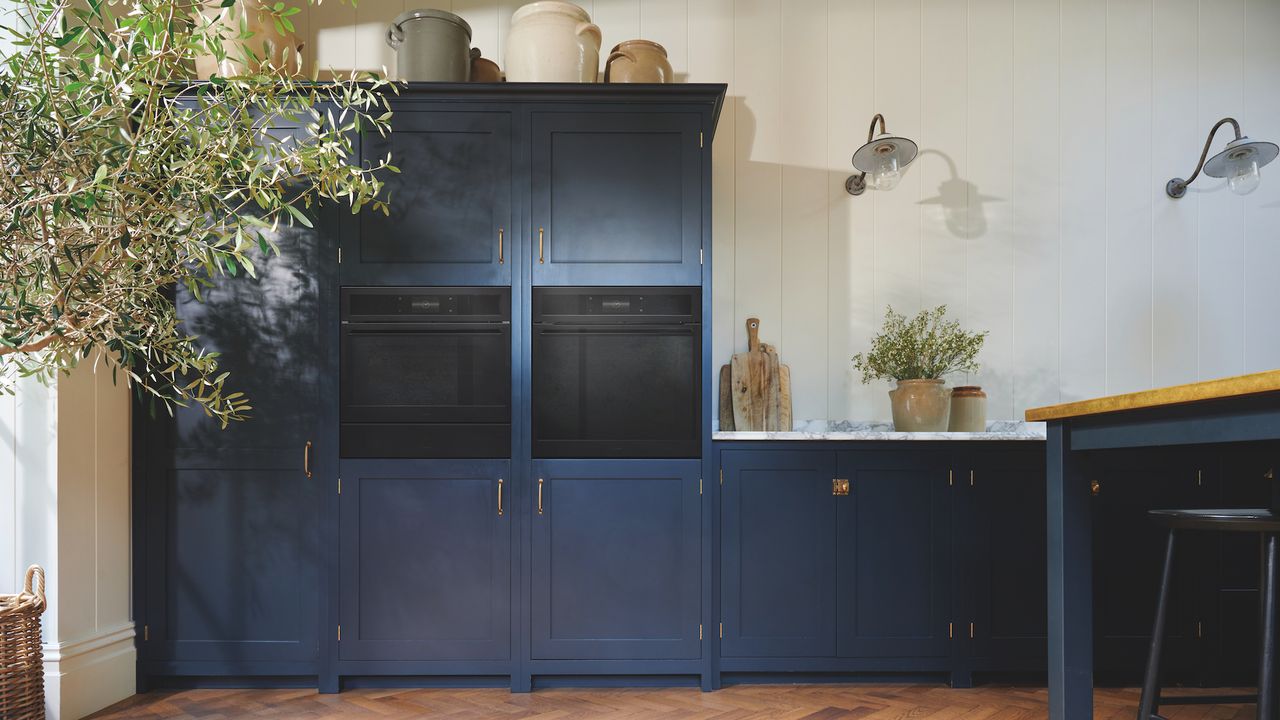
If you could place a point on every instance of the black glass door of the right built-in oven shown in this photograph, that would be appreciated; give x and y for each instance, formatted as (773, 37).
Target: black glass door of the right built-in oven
(616, 391)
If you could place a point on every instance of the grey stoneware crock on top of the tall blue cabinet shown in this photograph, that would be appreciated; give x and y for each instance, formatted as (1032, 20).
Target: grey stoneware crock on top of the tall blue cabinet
(431, 47)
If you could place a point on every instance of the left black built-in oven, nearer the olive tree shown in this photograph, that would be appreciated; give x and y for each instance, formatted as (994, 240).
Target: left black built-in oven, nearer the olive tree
(426, 372)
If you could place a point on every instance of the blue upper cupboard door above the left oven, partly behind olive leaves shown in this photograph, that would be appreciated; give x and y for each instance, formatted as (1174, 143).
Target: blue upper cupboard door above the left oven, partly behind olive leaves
(449, 204)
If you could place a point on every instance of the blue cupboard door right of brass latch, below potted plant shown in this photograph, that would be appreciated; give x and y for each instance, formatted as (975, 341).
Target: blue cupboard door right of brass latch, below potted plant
(894, 548)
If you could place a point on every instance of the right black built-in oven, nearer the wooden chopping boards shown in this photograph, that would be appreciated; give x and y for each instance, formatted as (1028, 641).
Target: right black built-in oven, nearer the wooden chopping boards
(616, 372)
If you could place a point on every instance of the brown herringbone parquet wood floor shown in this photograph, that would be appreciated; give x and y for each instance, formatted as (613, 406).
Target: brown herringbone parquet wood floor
(739, 703)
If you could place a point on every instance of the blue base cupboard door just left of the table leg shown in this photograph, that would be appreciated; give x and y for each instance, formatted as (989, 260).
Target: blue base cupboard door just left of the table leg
(1008, 558)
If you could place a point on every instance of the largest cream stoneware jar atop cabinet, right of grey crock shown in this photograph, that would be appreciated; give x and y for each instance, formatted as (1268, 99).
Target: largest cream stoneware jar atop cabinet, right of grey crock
(552, 42)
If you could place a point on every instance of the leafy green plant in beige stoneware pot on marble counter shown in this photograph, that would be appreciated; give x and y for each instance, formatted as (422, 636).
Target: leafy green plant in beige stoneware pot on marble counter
(920, 354)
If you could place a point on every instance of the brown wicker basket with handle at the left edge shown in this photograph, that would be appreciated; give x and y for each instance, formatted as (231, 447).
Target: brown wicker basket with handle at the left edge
(22, 669)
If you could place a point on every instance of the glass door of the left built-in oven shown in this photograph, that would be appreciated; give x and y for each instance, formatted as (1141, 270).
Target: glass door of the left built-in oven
(427, 373)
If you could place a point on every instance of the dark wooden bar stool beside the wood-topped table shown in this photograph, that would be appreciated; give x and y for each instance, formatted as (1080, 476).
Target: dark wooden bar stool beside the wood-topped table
(1264, 522)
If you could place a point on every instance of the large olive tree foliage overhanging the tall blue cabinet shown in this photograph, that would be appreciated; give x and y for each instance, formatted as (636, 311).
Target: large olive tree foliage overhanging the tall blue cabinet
(122, 180)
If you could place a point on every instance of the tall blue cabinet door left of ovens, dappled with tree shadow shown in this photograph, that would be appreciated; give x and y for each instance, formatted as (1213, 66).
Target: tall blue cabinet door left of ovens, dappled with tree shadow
(231, 543)
